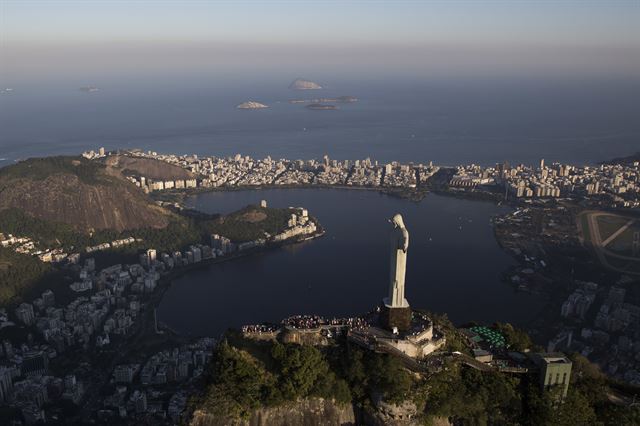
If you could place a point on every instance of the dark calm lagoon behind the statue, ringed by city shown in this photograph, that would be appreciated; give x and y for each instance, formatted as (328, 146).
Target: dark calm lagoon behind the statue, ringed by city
(454, 264)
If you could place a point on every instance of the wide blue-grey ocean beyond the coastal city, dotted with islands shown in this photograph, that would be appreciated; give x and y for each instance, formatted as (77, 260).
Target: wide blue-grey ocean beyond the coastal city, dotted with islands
(447, 121)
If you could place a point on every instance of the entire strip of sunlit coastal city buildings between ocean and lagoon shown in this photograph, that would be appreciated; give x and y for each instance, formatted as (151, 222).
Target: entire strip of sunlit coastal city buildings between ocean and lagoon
(609, 185)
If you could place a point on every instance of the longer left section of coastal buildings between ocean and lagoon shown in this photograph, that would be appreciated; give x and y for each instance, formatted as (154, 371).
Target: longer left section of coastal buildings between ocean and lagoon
(241, 170)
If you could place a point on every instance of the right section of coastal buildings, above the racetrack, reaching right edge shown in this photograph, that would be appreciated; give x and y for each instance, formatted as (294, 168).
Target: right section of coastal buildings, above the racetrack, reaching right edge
(616, 184)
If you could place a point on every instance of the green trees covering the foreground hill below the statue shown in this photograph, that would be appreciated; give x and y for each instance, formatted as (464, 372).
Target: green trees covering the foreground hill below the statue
(246, 376)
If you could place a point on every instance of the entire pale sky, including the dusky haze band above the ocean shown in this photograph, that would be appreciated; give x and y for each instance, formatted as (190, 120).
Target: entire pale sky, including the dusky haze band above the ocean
(56, 37)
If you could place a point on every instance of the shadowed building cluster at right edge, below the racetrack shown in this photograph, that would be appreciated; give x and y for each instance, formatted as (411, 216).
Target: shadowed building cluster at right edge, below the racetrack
(604, 327)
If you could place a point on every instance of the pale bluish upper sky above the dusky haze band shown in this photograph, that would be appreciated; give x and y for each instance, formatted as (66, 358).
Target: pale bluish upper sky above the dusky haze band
(554, 22)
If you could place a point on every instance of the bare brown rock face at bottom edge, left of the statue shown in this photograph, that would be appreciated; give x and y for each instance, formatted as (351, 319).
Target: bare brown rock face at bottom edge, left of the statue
(308, 412)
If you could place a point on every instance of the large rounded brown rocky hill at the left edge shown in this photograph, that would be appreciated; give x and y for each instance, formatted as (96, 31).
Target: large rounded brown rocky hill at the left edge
(84, 194)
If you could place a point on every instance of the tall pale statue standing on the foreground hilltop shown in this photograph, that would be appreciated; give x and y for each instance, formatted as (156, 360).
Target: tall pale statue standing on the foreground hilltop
(399, 246)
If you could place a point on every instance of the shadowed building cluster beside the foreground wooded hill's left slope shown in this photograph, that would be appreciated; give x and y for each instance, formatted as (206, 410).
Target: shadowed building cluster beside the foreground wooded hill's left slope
(156, 388)
